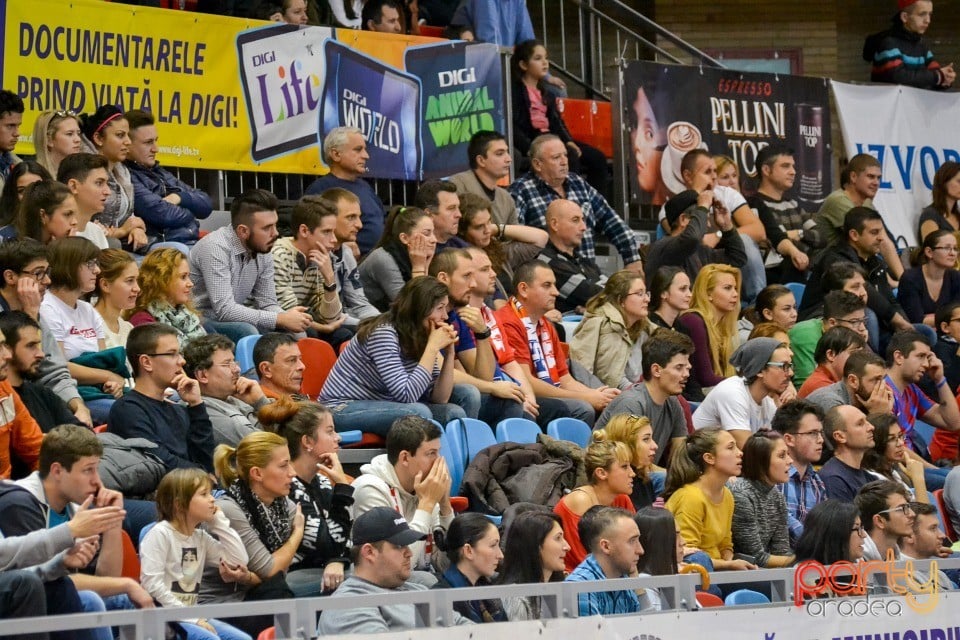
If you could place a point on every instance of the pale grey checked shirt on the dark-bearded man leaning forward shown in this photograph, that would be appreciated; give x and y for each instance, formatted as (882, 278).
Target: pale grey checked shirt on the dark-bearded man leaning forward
(232, 285)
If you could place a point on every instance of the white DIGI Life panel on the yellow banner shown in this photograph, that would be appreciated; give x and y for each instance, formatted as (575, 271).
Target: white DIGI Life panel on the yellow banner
(281, 68)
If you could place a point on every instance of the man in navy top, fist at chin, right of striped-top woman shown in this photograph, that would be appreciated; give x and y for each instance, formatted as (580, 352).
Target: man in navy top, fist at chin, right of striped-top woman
(499, 398)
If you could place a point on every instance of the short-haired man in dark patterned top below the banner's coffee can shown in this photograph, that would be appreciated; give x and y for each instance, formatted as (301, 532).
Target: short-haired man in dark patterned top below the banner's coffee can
(789, 228)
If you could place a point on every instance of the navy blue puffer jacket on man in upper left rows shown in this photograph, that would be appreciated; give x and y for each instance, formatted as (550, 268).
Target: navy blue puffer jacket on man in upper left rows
(167, 222)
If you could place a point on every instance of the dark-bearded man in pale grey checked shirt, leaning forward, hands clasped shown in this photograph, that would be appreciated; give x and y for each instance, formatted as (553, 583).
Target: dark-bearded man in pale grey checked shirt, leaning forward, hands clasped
(232, 272)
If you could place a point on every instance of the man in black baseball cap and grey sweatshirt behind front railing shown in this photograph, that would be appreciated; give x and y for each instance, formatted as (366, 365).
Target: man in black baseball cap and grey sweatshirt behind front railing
(381, 555)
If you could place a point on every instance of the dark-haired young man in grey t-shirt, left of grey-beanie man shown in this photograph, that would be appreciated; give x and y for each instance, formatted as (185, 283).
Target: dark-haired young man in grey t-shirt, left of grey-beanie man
(666, 369)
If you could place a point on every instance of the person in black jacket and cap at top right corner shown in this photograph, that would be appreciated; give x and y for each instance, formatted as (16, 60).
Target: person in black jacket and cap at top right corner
(900, 55)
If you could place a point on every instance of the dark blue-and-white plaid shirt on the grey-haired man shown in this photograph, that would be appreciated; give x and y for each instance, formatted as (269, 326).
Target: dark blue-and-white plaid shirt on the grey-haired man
(533, 195)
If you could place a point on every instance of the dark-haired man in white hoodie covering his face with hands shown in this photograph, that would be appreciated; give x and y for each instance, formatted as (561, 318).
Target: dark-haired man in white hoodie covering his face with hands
(413, 480)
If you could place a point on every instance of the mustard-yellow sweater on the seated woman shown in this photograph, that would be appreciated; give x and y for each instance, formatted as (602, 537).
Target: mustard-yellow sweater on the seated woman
(703, 524)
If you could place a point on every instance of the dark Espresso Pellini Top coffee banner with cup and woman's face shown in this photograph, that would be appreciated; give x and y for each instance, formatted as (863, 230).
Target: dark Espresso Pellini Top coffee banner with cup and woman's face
(672, 110)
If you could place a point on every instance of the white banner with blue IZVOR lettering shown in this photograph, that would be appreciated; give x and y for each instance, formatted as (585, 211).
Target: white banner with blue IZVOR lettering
(911, 132)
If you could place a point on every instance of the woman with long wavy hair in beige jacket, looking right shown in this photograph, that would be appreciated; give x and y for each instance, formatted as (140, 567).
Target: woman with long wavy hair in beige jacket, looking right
(607, 341)
